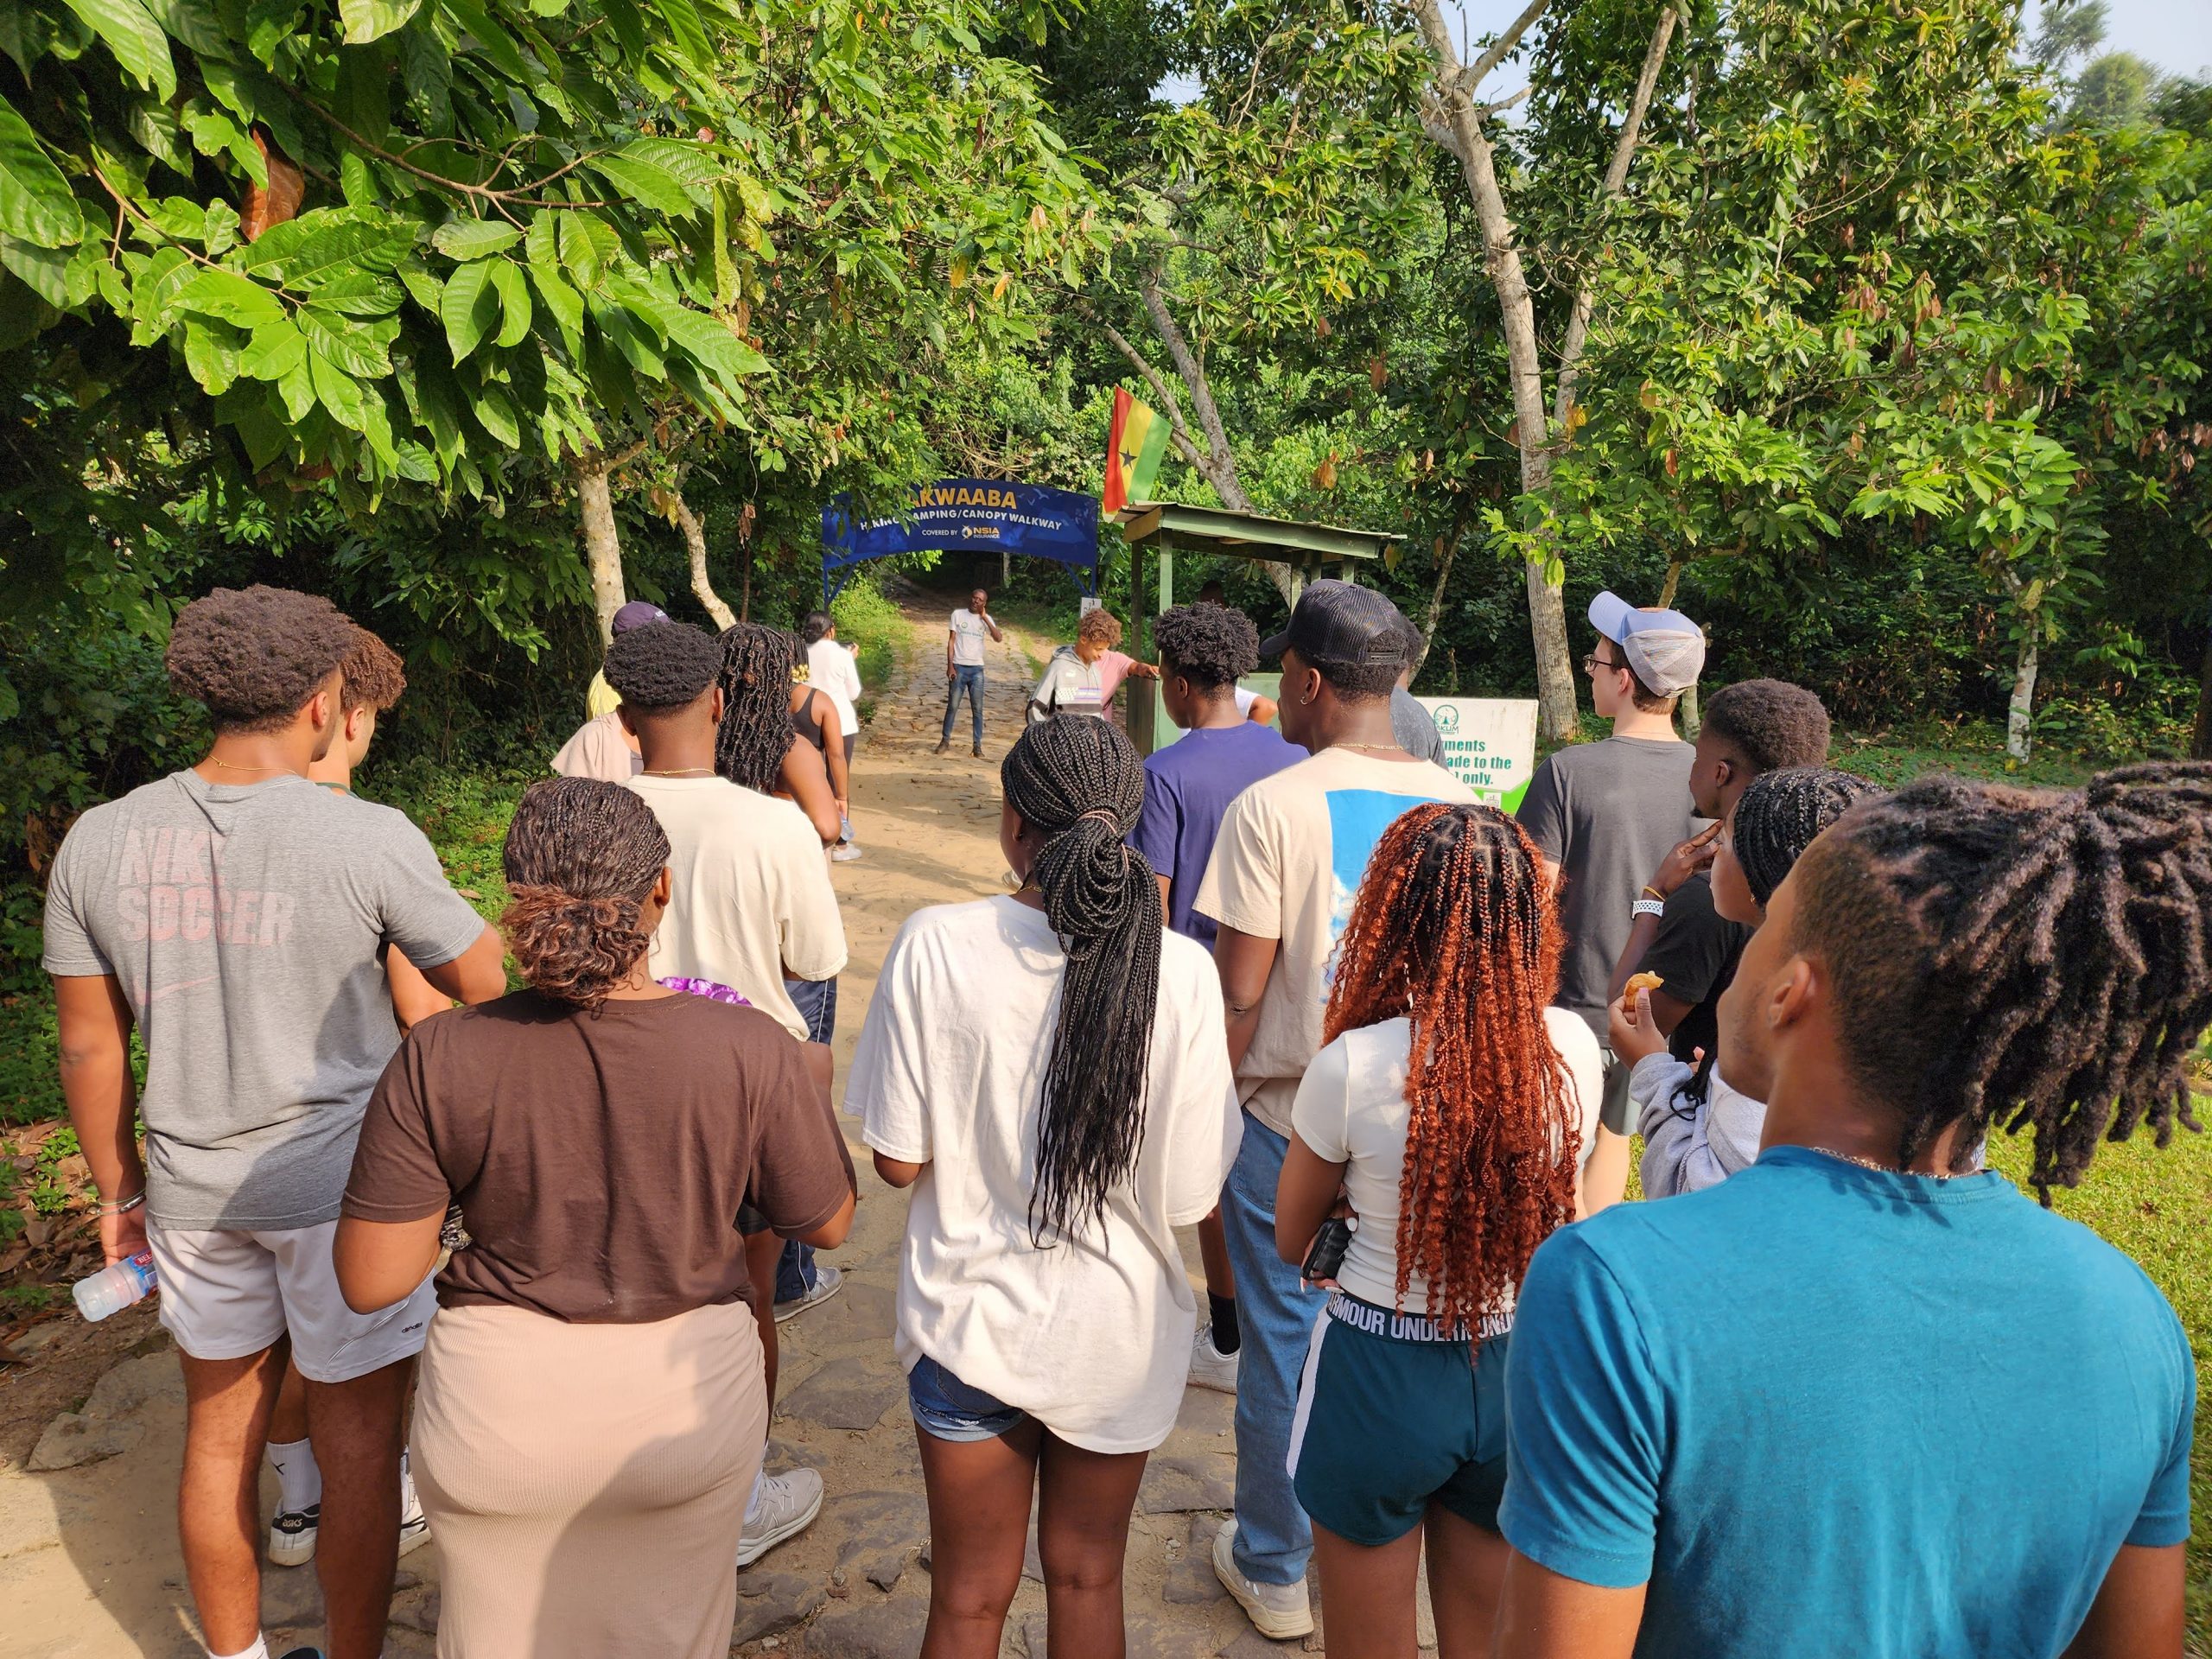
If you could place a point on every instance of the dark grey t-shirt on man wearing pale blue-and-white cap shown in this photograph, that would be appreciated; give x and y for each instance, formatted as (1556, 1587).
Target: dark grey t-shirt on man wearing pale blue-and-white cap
(1607, 815)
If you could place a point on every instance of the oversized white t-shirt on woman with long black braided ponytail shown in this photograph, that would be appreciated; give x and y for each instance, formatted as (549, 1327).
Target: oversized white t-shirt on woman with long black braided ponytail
(1089, 1335)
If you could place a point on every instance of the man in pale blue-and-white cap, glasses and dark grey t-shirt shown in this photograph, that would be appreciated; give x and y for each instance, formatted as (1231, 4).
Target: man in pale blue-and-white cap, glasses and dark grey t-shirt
(1603, 817)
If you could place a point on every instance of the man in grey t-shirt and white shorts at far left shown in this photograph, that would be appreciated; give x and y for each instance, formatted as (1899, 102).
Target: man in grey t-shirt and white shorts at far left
(236, 915)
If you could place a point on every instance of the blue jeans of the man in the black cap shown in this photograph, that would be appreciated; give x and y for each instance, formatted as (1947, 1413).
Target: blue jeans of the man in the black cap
(1275, 1313)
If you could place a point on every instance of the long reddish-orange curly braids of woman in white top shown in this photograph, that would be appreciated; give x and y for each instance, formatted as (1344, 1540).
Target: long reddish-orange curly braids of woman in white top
(1457, 928)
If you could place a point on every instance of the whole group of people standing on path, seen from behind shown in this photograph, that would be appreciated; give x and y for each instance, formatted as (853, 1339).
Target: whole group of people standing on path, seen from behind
(1828, 1388)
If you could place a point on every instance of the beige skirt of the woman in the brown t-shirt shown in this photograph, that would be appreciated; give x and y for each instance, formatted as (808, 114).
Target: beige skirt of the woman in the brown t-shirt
(587, 1483)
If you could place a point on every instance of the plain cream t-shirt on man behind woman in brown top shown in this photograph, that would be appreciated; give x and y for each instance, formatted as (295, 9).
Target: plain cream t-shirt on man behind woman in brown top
(751, 895)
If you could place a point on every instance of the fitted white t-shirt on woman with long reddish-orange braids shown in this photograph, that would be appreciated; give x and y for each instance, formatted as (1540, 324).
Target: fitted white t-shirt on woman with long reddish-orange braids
(1353, 1112)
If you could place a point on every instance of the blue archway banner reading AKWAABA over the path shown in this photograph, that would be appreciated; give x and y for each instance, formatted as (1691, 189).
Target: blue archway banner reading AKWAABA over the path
(970, 514)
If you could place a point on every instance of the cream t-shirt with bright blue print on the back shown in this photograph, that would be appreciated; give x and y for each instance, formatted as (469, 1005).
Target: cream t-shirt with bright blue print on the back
(1288, 866)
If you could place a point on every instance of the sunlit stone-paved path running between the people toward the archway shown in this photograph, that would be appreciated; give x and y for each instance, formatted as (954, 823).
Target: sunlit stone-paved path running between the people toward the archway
(90, 1554)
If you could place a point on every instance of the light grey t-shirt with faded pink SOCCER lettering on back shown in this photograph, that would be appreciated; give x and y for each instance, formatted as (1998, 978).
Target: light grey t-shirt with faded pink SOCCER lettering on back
(247, 928)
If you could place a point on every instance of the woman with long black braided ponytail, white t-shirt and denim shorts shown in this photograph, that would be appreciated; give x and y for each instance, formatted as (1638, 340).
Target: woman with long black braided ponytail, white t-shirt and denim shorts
(1056, 1134)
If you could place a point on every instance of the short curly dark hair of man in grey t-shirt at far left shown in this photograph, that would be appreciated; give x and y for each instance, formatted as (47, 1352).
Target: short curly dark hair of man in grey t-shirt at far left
(253, 656)
